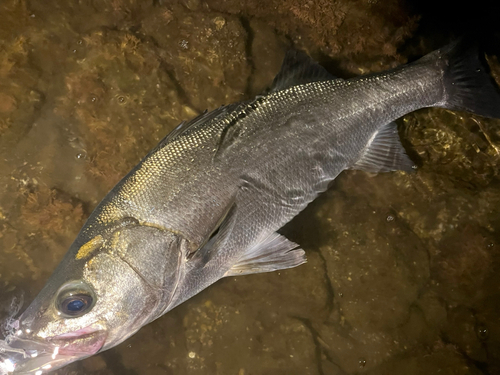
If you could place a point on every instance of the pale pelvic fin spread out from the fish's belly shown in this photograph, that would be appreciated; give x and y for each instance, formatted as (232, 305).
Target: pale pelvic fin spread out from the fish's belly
(274, 253)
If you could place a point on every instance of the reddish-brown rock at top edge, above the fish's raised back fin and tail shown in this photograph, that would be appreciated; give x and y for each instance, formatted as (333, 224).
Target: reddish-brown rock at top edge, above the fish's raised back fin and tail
(341, 28)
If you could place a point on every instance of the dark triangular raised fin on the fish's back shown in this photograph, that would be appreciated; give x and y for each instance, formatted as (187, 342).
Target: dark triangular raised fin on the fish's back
(299, 68)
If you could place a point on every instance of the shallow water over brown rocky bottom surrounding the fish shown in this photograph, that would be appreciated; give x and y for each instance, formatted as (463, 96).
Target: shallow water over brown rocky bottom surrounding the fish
(403, 270)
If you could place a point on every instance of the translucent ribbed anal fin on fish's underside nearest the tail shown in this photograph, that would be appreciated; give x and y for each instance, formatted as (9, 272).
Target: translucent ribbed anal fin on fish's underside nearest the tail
(385, 153)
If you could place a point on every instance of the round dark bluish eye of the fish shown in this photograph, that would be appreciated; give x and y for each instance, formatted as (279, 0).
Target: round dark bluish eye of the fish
(75, 299)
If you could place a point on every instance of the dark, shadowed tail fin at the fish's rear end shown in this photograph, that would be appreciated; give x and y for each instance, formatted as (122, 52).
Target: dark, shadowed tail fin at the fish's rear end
(467, 83)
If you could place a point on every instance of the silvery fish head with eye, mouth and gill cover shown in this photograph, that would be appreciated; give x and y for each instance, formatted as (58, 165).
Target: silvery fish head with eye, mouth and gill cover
(94, 302)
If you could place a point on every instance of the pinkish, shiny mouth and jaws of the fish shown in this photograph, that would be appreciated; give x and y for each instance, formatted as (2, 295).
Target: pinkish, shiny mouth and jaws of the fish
(35, 356)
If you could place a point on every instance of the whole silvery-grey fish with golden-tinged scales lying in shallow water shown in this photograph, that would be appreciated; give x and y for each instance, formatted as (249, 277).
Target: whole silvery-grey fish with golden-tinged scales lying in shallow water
(207, 202)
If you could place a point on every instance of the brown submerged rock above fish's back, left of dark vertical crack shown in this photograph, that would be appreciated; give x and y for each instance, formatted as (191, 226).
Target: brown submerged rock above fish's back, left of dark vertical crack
(207, 55)
